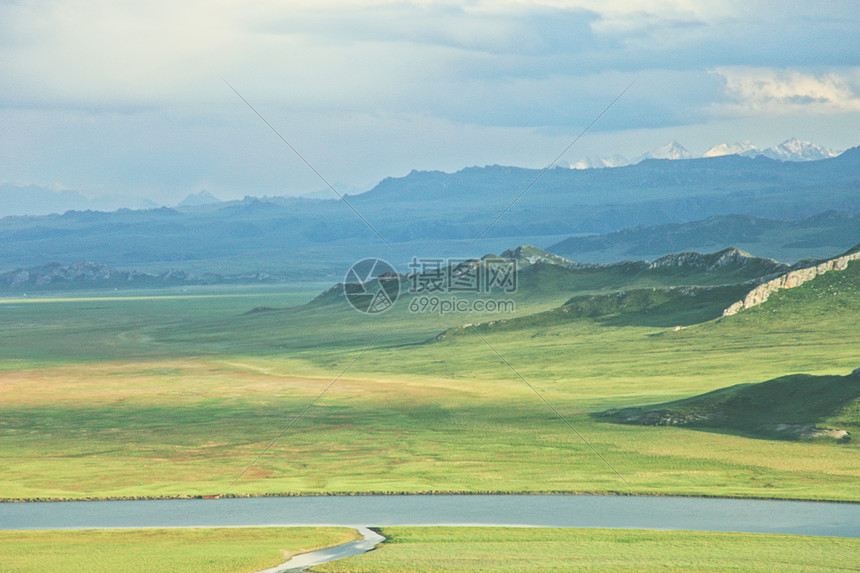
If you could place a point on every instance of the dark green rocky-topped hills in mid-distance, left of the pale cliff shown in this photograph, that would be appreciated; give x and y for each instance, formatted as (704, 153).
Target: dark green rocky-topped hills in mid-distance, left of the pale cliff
(675, 290)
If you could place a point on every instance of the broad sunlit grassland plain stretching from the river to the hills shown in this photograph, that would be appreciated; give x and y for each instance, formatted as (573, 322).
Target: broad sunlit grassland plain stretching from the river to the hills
(169, 396)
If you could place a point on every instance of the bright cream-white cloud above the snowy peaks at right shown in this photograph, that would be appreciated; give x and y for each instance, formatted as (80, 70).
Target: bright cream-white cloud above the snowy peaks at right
(784, 92)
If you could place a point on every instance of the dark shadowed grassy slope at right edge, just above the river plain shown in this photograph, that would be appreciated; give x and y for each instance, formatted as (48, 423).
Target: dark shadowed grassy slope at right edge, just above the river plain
(790, 407)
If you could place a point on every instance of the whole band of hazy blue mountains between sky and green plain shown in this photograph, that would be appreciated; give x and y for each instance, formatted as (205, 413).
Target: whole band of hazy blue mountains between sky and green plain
(289, 233)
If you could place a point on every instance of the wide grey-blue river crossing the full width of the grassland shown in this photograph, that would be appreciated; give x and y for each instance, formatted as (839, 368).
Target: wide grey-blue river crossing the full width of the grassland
(680, 513)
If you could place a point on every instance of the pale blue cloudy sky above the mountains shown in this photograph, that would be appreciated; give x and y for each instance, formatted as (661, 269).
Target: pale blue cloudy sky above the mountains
(132, 98)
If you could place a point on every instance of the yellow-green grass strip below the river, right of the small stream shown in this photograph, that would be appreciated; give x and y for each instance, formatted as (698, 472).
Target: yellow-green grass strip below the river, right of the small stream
(506, 550)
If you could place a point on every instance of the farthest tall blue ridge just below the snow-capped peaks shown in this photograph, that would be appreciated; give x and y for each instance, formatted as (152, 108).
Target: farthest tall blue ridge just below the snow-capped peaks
(659, 180)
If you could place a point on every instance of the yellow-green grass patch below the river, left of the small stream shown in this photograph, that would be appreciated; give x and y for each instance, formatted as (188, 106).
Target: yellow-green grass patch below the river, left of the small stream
(223, 550)
